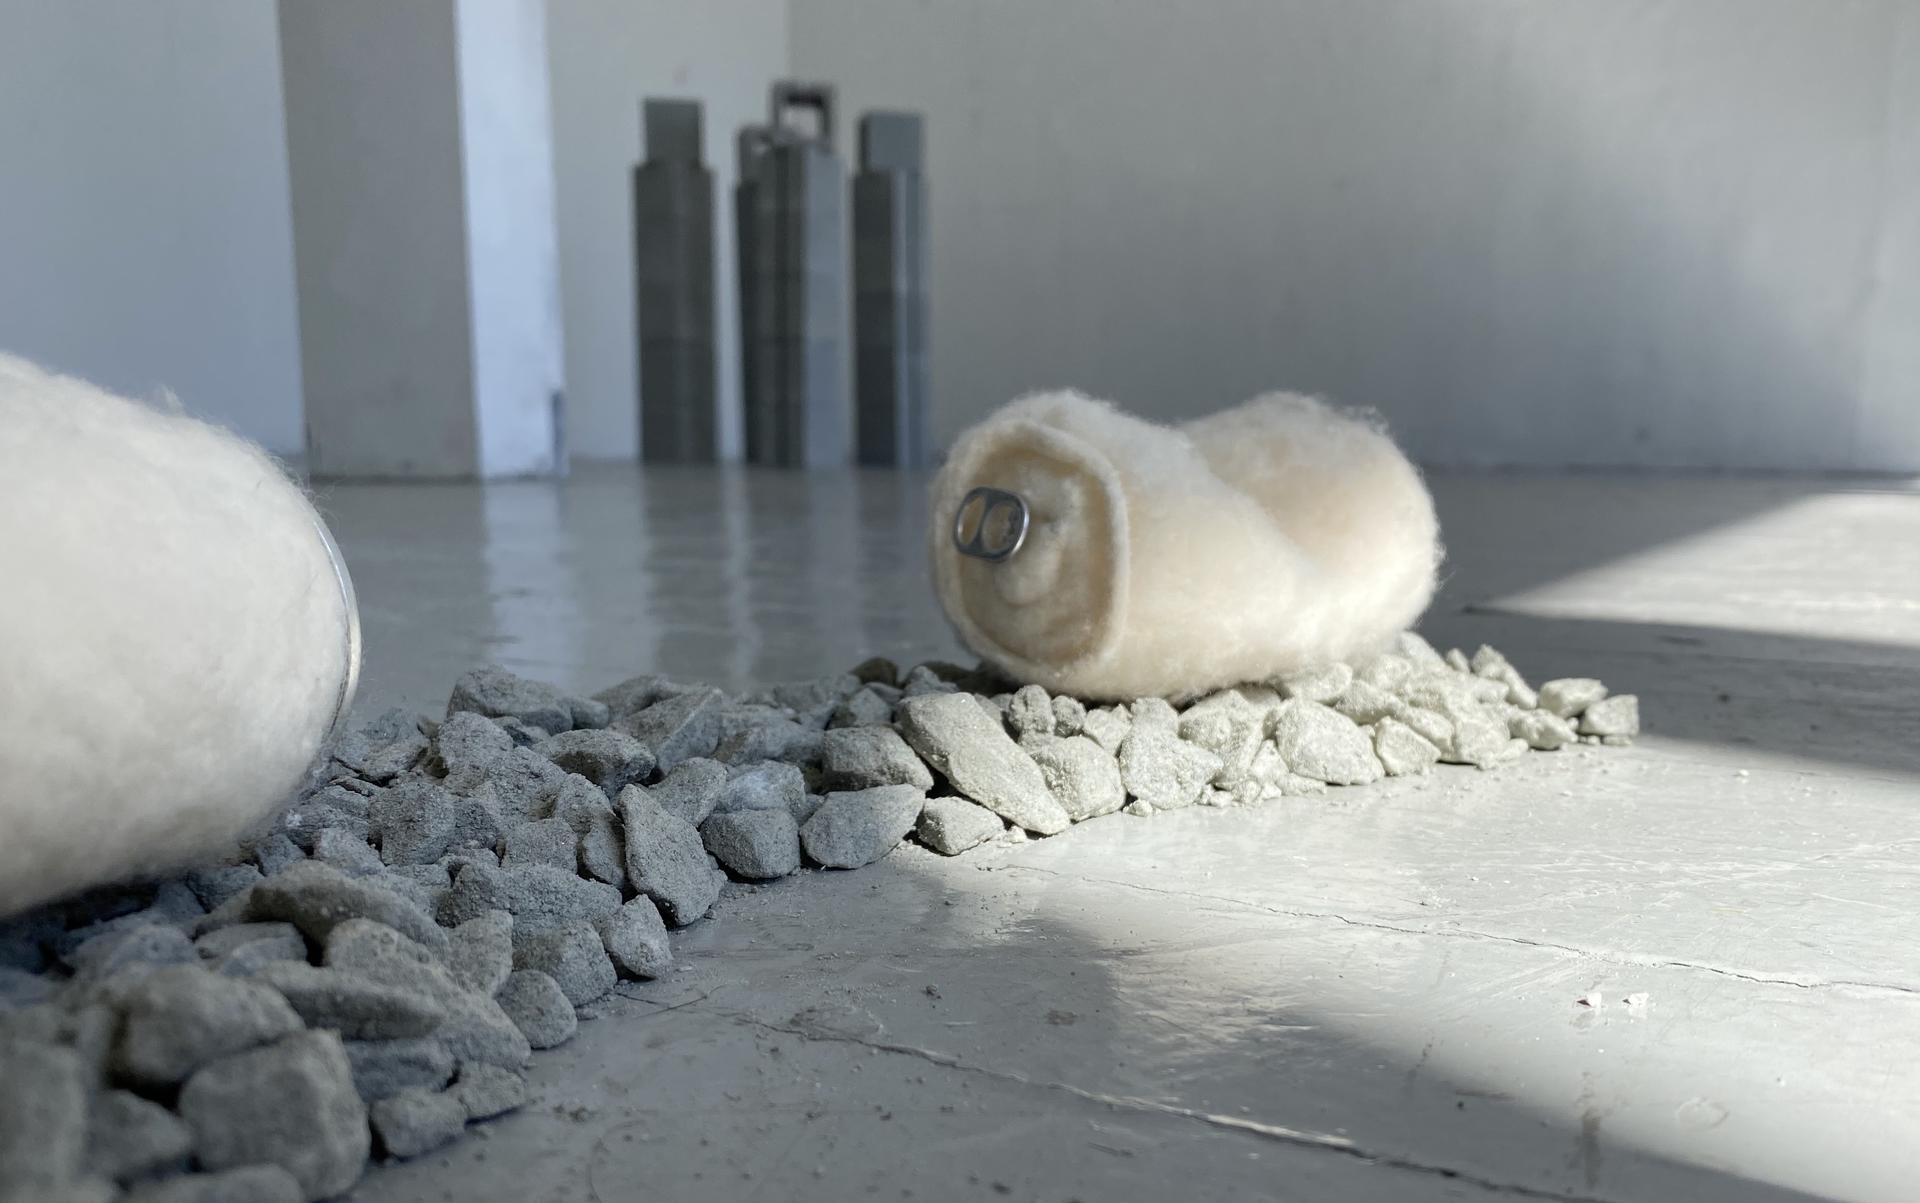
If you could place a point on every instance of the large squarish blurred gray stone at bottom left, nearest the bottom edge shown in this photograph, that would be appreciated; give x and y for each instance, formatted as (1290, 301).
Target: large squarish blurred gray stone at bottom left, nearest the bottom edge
(287, 1104)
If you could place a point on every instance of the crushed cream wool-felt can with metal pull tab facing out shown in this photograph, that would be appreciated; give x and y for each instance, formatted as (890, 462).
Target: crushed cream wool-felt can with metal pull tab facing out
(1163, 561)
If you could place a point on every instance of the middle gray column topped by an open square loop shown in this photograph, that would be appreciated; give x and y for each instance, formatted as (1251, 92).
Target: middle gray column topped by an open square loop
(790, 206)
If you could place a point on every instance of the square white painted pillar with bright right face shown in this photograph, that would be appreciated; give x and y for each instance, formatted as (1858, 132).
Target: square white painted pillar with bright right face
(421, 158)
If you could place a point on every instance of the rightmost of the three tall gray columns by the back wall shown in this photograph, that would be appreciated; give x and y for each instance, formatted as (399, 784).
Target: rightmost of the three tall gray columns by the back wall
(890, 302)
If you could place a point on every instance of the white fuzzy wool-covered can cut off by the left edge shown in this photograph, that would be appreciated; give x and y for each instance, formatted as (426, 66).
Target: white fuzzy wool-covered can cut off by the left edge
(176, 638)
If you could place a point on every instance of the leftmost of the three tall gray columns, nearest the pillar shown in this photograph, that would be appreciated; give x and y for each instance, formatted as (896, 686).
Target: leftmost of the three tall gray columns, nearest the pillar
(675, 275)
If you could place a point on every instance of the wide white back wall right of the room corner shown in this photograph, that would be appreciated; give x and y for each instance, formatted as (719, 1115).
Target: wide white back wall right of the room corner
(1675, 233)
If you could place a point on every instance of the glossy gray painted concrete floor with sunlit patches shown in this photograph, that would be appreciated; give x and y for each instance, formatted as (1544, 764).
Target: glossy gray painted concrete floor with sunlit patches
(1362, 997)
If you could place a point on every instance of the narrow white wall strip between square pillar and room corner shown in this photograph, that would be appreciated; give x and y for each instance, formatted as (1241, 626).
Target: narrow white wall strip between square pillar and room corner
(606, 57)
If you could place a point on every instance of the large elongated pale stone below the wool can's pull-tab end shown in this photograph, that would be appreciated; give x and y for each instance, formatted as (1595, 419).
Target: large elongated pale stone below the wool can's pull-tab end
(976, 755)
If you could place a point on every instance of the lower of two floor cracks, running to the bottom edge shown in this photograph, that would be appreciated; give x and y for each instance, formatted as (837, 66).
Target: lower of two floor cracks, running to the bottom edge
(1320, 1143)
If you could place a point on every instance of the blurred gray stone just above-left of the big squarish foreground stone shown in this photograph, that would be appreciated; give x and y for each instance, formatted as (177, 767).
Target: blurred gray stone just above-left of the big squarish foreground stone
(181, 1018)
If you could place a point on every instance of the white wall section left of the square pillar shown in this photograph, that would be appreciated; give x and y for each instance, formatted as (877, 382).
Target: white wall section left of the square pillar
(145, 233)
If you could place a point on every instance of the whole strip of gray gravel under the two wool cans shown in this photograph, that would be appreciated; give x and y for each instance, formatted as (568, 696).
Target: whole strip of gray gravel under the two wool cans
(410, 933)
